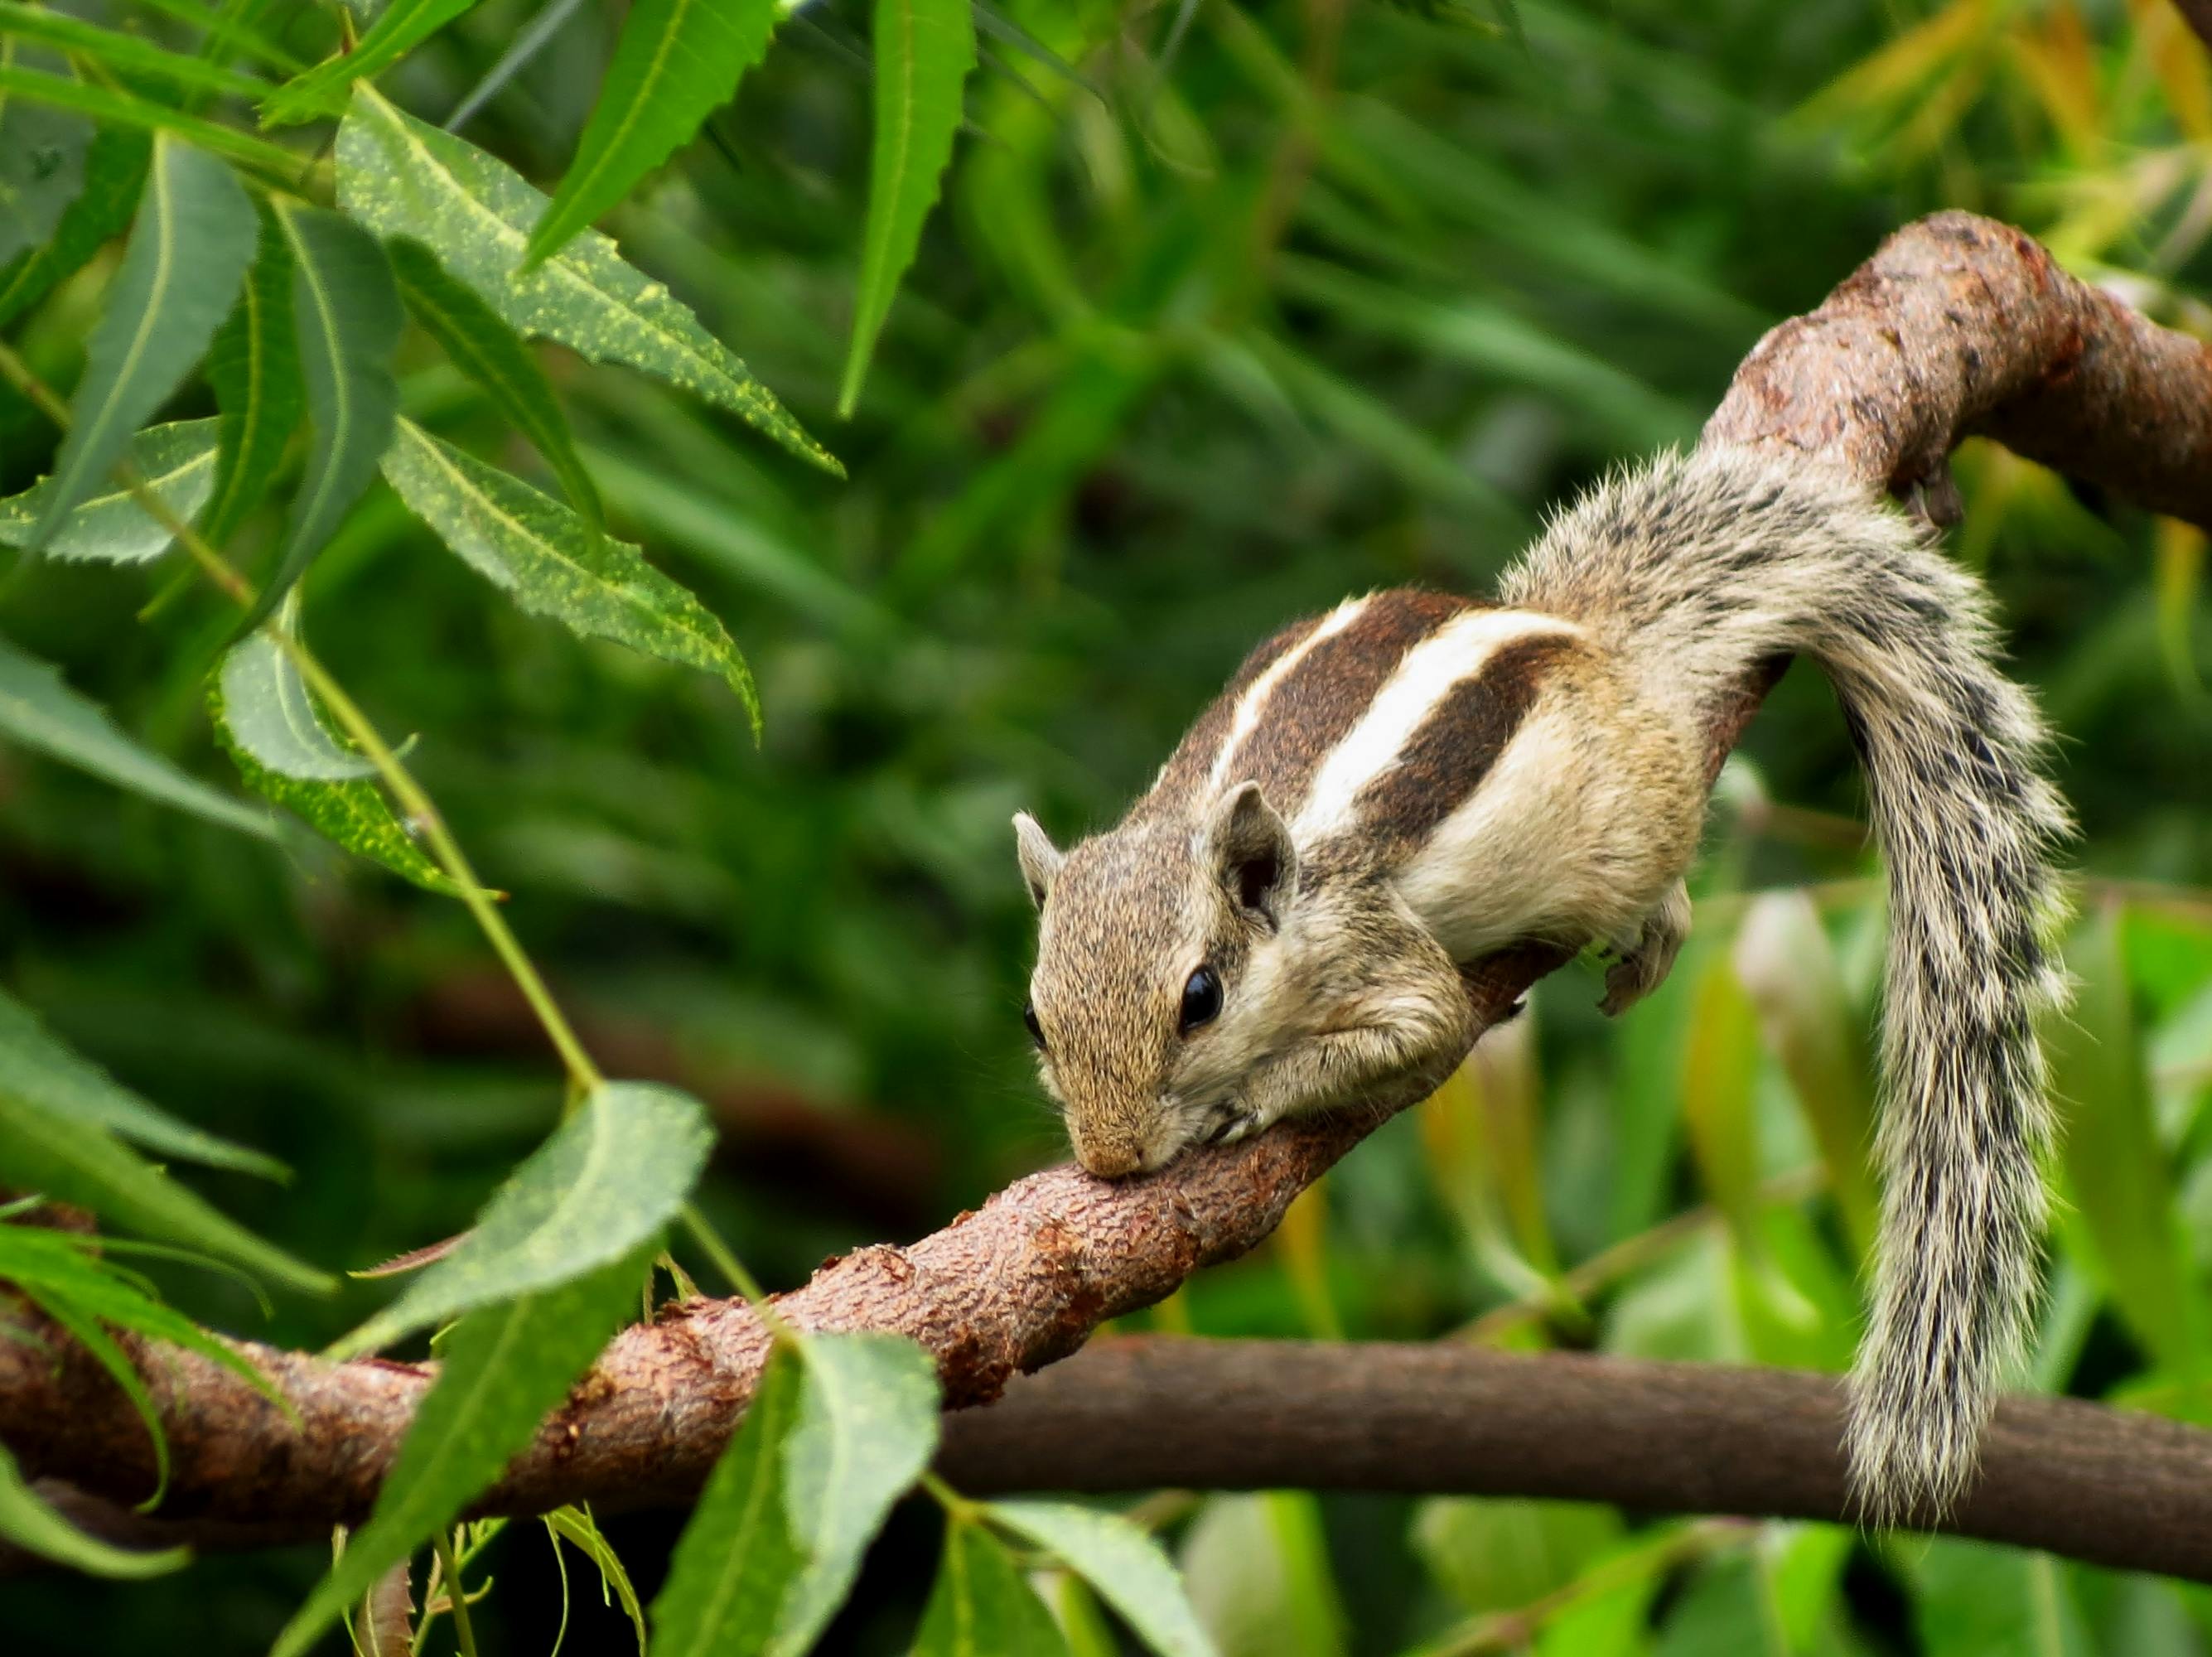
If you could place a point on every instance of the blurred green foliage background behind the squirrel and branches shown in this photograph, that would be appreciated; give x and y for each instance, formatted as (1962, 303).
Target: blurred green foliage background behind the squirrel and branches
(1227, 313)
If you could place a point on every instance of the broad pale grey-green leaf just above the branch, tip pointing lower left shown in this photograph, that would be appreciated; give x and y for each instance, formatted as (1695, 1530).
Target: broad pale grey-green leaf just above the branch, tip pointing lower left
(607, 1182)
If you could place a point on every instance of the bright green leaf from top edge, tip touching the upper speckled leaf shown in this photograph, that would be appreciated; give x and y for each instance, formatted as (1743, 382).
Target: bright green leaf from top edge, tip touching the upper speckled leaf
(676, 63)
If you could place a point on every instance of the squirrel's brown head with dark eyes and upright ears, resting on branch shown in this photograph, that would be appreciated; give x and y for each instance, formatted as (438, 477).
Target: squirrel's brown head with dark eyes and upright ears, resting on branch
(1156, 955)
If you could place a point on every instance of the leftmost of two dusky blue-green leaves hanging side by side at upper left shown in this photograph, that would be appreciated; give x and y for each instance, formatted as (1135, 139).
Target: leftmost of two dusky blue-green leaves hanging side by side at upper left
(189, 251)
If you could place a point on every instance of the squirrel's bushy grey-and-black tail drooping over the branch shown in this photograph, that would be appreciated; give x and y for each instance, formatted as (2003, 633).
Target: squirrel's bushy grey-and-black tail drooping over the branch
(1702, 567)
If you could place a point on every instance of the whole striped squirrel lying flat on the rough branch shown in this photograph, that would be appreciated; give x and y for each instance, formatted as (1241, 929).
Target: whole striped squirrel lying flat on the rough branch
(1410, 782)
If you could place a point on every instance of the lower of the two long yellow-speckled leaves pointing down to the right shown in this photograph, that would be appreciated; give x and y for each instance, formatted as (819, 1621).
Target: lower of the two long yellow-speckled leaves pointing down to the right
(554, 563)
